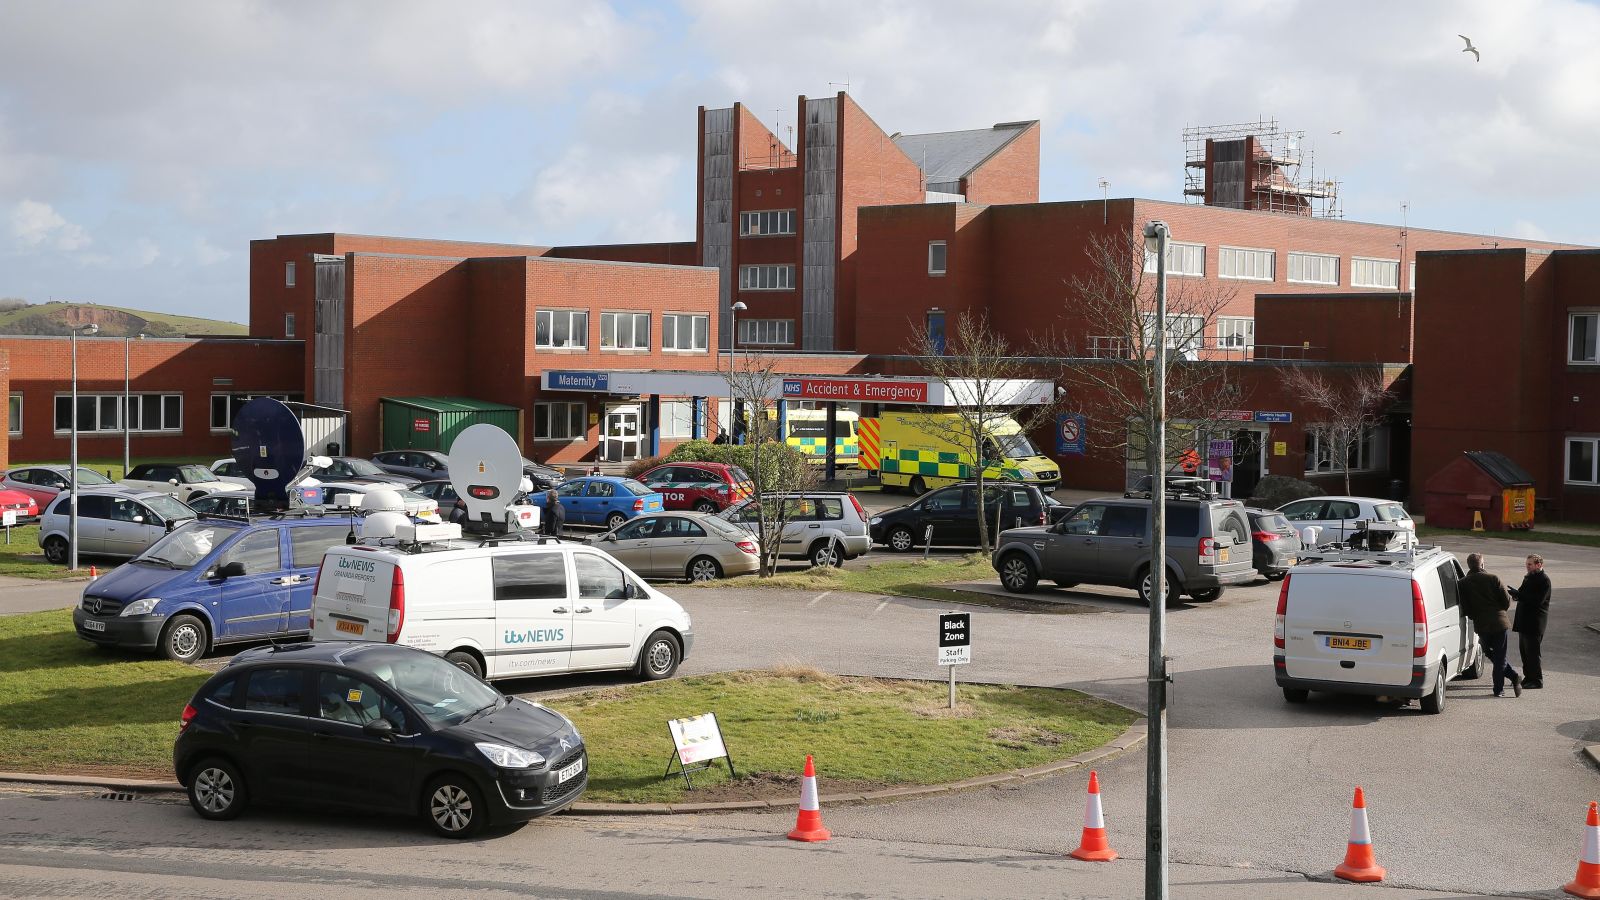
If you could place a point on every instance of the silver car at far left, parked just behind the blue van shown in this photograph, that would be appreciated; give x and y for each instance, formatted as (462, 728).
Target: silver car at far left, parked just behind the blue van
(113, 521)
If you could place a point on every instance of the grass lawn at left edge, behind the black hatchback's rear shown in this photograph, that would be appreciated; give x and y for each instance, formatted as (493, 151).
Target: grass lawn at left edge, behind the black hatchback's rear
(68, 707)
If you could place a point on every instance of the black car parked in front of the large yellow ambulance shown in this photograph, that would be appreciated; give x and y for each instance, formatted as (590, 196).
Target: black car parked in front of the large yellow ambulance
(953, 513)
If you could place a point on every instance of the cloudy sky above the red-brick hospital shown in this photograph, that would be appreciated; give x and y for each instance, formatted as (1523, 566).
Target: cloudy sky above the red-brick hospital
(145, 145)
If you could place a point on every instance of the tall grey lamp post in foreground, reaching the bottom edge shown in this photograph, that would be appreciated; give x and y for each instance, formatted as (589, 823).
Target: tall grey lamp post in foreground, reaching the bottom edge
(1156, 848)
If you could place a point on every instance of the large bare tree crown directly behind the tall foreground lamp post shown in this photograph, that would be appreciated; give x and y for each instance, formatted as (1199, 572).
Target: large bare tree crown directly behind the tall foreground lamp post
(1113, 356)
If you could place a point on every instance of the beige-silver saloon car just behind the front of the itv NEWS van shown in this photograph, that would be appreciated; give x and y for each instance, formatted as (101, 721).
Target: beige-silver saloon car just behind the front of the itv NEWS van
(681, 545)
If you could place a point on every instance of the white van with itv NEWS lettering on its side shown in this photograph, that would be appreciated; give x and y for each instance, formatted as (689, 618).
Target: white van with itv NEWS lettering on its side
(502, 609)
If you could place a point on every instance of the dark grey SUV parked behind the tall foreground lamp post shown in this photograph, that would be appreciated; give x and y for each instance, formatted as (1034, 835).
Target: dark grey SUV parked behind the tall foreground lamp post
(1106, 542)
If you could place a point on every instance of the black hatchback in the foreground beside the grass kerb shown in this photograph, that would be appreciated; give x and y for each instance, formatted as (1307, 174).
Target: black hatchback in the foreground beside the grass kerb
(374, 728)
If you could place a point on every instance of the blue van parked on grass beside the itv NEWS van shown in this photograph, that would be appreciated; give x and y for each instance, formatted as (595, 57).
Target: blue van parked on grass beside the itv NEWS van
(215, 581)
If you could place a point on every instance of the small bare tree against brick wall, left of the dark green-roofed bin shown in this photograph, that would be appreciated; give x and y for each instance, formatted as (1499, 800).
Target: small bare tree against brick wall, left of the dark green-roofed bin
(1348, 411)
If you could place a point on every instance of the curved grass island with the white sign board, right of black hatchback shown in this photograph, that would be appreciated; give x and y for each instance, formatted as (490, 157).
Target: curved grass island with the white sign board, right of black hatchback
(865, 733)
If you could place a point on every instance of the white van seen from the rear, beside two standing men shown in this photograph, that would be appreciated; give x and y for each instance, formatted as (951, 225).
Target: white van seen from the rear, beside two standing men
(1383, 624)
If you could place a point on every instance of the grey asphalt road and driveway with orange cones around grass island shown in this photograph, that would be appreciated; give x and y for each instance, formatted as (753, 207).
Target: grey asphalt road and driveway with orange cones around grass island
(1486, 800)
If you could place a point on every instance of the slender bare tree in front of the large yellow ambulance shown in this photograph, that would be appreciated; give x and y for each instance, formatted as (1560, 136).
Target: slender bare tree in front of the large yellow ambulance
(990, 384)
